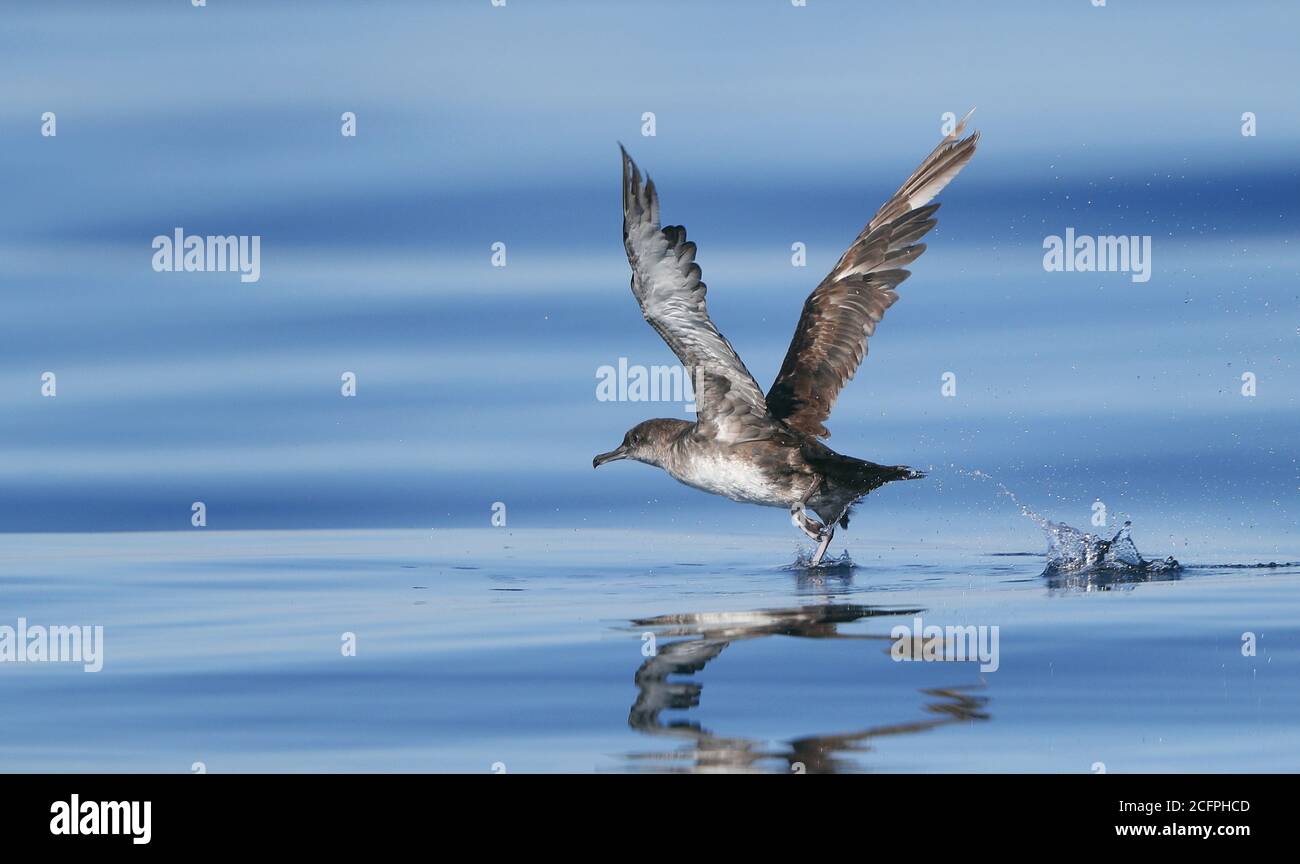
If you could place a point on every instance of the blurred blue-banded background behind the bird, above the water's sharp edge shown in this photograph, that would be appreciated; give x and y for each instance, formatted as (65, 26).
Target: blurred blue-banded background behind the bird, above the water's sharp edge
(774, 125)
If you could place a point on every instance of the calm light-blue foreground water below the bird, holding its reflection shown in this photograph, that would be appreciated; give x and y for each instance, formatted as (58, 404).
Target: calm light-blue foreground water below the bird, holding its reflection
(530, 649)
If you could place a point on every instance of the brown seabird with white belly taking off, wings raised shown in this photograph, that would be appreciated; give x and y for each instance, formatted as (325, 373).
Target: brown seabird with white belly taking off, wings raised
(768, 450)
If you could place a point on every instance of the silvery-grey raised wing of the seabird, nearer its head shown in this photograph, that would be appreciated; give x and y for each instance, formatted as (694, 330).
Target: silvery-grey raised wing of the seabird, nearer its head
(666, 283)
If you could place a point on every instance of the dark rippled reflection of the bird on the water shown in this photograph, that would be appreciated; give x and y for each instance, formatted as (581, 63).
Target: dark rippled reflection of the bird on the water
(701, 637)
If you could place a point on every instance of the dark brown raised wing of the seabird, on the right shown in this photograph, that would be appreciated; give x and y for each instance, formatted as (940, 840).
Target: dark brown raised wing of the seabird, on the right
(831, 338)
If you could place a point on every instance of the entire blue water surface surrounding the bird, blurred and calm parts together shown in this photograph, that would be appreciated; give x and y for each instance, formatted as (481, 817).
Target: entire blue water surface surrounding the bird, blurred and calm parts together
(478, 385)
